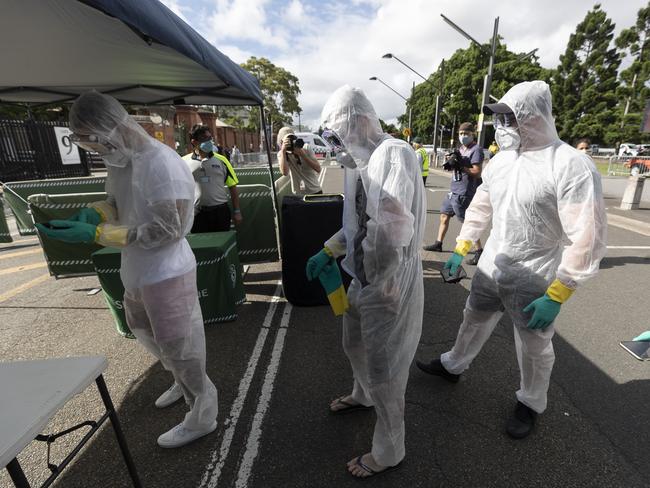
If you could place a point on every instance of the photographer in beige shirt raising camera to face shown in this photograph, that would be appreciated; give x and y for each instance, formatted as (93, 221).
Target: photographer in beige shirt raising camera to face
(299, 162)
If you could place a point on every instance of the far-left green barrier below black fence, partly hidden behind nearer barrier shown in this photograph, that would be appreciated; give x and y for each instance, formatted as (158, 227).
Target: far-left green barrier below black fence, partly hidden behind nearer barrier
(17, 193)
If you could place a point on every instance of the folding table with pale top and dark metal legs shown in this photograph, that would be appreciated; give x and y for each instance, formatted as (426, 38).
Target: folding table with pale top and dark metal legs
(32, 393)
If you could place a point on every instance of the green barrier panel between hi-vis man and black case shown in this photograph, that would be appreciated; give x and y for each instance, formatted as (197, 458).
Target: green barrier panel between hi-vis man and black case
(256, 238)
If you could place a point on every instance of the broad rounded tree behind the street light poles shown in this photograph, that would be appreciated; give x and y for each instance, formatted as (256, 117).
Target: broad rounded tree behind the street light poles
(463, 87)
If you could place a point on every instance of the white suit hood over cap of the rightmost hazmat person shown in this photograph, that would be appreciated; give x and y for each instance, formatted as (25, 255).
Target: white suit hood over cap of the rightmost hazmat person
(530, 101)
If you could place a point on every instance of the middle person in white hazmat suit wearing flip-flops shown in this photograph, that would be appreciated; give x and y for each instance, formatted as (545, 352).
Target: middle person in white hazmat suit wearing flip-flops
(383, 225)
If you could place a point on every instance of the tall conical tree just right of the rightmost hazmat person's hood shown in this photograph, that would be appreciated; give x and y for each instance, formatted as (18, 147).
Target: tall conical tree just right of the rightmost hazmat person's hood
(585, 82)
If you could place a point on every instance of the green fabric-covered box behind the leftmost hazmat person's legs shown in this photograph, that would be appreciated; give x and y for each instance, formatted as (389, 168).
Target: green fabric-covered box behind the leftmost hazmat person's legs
(218, 278)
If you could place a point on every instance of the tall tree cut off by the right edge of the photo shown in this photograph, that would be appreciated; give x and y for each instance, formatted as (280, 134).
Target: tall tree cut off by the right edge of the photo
(633, 91)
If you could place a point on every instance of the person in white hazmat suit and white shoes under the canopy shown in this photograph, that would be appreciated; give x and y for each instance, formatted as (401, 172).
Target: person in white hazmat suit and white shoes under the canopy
(148, 212)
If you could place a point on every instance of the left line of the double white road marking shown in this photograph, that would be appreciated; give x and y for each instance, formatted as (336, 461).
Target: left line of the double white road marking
(218, 458)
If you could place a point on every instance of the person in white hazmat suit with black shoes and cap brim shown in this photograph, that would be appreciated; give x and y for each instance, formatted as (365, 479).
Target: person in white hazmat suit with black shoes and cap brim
(544, 200)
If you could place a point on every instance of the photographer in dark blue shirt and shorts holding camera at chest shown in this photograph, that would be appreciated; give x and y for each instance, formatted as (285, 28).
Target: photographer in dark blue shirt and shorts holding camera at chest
(465, 162)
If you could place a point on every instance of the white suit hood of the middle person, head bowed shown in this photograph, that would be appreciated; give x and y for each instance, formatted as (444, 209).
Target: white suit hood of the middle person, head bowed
(349, 113)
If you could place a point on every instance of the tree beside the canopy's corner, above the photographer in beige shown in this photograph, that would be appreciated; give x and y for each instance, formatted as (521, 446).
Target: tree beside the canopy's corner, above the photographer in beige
(279, 89)
